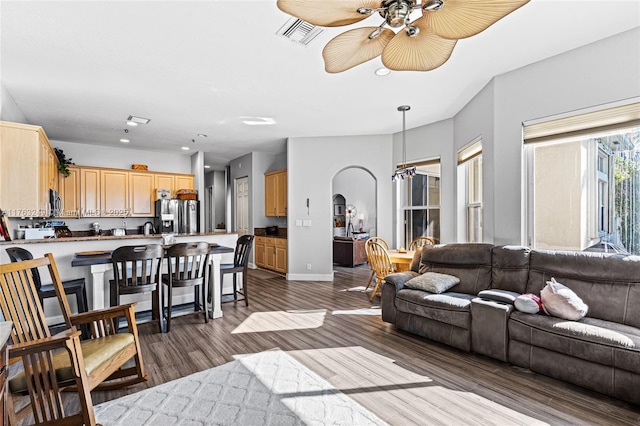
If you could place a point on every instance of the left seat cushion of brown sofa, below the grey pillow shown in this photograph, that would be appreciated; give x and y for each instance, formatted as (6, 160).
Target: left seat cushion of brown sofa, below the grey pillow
(450, 308)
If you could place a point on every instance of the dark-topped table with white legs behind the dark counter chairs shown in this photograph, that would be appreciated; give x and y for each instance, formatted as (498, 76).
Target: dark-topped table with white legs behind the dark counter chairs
(100, 262)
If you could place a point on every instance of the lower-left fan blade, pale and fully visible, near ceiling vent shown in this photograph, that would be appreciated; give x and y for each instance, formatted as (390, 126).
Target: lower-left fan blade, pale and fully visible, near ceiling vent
(354, 47)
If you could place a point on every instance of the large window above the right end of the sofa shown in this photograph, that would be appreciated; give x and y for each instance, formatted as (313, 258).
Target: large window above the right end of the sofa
(583, 182)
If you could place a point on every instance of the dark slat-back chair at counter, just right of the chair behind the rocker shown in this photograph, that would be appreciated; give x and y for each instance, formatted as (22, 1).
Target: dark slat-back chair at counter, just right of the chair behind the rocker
(136, 270)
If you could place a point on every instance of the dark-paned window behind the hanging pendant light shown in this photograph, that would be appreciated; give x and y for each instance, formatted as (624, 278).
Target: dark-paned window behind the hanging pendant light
(420, 202)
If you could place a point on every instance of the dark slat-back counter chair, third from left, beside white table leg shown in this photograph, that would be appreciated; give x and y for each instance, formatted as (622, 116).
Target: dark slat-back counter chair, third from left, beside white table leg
(188, 266)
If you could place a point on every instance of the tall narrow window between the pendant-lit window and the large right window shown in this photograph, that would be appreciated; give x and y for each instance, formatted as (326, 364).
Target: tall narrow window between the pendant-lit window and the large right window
(470, 192)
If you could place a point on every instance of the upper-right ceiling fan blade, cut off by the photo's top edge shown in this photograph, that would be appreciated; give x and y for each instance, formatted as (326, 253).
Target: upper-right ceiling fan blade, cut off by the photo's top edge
(464, 18)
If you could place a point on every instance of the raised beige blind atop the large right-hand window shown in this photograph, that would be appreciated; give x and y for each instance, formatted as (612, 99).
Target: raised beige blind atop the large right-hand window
(583, 124)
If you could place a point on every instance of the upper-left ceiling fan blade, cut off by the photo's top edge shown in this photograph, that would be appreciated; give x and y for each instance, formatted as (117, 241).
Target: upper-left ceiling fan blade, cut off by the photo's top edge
(334, 13)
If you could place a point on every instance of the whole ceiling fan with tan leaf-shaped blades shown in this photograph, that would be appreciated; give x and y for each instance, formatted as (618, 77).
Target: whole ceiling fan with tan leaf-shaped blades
(426, 42)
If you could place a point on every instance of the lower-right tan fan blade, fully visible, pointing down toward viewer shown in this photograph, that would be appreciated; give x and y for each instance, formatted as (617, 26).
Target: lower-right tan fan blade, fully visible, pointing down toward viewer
(422, 52)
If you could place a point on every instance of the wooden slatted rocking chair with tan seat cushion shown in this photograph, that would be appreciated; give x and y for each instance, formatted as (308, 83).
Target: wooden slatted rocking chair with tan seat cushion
(63, 362)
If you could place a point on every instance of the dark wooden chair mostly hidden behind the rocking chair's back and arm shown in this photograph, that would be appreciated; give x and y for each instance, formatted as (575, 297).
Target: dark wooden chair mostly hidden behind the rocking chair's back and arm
(74, 287)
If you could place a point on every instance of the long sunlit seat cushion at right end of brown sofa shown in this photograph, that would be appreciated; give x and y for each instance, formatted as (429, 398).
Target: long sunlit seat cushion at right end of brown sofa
(591, 339)
